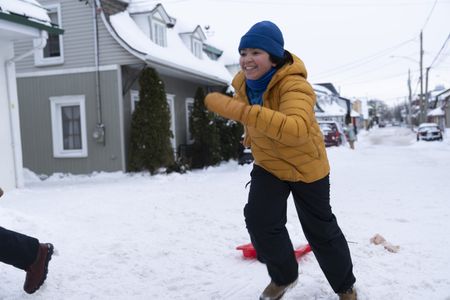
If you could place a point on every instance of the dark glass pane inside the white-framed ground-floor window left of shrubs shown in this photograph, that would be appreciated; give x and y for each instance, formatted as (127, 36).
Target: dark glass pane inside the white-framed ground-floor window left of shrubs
(71, 124)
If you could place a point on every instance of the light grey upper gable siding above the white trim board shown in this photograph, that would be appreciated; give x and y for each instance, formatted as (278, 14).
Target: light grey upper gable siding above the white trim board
(78, 41)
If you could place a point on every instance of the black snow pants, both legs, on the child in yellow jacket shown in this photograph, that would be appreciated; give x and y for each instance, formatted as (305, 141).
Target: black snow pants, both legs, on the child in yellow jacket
(265, 217)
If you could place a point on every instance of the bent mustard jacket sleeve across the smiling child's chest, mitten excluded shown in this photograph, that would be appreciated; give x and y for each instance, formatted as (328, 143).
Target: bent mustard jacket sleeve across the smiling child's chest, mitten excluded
(291, 124)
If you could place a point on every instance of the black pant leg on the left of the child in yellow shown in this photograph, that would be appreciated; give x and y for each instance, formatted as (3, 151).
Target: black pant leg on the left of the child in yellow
(265, 217)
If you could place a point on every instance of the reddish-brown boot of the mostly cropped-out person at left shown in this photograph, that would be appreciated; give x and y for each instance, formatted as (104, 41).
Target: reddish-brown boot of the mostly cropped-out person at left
(37, 272)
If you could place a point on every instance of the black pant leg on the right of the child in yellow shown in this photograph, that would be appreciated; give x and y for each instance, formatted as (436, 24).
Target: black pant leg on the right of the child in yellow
(322, 231)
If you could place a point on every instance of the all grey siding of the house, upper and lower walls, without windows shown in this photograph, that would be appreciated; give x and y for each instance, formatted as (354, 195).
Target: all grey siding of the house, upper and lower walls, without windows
(119, 71)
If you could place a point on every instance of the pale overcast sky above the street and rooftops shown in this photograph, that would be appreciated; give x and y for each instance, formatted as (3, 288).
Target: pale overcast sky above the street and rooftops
(364, 47)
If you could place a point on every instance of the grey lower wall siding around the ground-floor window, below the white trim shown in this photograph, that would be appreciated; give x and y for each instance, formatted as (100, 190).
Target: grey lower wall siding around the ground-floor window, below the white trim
(35, 117)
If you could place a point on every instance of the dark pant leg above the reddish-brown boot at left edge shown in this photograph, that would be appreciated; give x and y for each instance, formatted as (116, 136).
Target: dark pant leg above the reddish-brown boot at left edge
(17, 249)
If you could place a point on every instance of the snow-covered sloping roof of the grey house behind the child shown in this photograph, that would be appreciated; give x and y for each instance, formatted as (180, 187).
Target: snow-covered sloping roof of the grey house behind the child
(175, 55)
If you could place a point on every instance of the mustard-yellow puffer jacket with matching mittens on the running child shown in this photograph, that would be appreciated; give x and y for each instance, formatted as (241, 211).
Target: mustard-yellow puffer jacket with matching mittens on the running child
(283, 133)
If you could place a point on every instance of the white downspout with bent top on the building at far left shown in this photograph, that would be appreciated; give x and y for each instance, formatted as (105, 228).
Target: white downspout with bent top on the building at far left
(11, 92)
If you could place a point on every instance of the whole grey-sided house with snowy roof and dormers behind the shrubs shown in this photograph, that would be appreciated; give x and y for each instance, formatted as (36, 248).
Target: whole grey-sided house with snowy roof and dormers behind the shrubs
(77, 95)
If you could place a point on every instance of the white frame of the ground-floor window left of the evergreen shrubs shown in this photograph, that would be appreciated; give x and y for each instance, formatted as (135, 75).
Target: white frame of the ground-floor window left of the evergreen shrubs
(56, 105)
